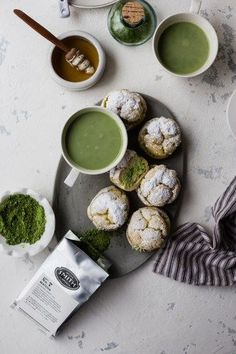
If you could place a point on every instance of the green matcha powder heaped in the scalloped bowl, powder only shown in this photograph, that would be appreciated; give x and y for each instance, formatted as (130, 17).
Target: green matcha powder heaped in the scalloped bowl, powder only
(22, 219)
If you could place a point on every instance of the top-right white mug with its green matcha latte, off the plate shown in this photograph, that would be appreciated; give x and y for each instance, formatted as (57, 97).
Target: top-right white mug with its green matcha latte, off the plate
(185, 44)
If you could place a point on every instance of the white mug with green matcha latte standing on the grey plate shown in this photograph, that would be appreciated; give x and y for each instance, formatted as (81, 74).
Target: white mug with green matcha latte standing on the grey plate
(93, 141)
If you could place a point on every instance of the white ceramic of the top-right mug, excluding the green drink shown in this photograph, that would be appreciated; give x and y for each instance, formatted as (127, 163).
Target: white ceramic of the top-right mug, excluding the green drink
(193, 17)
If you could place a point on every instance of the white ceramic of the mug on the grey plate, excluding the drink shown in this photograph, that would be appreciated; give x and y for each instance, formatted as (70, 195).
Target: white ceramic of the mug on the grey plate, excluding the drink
(75, 169)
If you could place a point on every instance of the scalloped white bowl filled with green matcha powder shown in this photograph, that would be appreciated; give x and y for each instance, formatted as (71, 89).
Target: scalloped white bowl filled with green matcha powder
(27, 223)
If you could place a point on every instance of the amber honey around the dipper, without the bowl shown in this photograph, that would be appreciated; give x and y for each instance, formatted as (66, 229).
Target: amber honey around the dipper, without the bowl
(65, 70)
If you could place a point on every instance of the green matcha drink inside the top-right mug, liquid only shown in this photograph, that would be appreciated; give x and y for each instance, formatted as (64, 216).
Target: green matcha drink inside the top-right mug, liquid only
(183, 48)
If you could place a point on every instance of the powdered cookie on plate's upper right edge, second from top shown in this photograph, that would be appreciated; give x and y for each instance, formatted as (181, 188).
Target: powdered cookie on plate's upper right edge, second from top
(160, 137)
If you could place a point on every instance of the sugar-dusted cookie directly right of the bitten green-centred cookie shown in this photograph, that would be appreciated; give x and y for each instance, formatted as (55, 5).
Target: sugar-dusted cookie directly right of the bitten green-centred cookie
(160, 186)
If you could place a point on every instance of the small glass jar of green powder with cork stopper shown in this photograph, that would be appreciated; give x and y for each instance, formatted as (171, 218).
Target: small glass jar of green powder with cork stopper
(132, 22)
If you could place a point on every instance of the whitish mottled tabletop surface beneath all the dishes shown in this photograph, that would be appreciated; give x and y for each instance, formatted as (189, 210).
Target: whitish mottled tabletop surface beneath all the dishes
(140, 313)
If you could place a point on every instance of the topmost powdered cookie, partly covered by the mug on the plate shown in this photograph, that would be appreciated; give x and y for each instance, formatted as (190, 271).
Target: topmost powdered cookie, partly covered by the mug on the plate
(129, 106)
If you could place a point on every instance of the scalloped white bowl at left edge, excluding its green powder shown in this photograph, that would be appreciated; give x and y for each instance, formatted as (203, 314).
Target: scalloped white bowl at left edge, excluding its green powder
(25, 249)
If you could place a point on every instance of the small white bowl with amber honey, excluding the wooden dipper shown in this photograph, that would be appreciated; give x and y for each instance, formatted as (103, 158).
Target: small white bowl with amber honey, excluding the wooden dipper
(66, 75)
